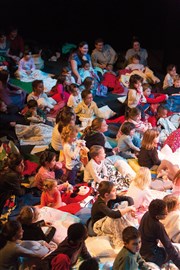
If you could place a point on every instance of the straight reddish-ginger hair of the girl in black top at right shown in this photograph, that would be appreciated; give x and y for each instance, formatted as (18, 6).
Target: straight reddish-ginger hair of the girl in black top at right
(148, 138)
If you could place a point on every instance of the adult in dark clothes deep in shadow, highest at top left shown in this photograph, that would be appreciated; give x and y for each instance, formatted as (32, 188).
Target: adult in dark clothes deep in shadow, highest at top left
(16, 44)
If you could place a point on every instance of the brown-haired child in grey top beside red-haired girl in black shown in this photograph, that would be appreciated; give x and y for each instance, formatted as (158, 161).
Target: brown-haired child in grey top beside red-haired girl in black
(125, 142)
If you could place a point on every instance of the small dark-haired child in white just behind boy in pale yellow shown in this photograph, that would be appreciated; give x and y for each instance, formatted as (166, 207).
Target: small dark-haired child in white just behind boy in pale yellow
(75, 96)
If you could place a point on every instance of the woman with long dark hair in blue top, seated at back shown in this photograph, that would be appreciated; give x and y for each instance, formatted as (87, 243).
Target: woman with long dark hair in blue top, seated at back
(77, 58)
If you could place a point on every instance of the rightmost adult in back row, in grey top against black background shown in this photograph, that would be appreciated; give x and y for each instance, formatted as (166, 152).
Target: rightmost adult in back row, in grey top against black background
(136, 49)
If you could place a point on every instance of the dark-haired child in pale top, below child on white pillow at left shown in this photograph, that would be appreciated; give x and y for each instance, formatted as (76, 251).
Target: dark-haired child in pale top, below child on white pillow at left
(44, 102)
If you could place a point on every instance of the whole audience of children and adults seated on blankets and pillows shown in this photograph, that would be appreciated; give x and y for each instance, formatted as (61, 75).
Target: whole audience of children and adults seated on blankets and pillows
(128, 206)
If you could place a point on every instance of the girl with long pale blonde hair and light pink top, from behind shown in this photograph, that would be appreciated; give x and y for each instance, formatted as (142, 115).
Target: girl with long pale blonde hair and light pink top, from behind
(140, 191)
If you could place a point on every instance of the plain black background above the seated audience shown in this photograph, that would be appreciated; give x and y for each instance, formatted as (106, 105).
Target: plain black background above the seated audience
(156, 23)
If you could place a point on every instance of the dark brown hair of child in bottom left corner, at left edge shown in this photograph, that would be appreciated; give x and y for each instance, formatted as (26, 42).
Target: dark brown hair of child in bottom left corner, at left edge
(9, 230)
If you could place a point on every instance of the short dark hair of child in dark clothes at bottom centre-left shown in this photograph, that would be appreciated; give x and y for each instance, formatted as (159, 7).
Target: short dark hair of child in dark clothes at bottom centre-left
(76, 232)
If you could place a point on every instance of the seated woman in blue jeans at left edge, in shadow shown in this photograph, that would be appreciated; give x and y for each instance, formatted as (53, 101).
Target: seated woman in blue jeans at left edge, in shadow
(9, 93)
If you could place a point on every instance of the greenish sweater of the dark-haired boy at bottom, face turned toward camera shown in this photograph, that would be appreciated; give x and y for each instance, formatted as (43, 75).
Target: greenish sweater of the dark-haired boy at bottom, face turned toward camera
(127, 260)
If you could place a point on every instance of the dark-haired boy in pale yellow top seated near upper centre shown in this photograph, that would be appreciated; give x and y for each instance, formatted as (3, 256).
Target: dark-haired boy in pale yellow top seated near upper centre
(87, 108)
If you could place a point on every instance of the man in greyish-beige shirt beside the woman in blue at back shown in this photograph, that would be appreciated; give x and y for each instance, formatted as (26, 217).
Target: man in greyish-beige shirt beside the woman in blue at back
(103, 54)
